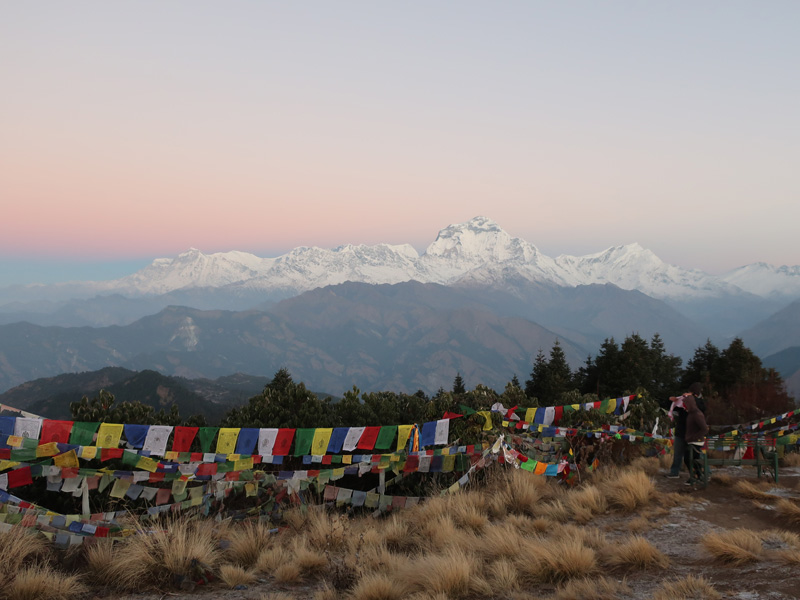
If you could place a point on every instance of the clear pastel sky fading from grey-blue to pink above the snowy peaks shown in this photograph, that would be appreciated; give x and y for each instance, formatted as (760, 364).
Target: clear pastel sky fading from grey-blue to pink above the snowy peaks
(134, 130)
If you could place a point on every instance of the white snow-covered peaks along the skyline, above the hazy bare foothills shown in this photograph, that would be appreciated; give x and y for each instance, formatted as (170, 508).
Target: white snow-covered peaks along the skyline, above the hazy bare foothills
(478, 251)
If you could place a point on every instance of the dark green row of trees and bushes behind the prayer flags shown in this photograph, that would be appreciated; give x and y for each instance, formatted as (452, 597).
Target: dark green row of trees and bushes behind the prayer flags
(736, 385)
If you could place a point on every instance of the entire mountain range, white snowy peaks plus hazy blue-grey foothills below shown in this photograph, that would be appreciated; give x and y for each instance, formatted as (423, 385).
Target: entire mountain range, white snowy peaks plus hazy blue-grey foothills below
(386, 315)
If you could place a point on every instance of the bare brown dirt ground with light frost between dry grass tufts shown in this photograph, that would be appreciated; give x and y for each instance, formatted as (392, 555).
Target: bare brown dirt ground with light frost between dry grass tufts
(675, 530)
